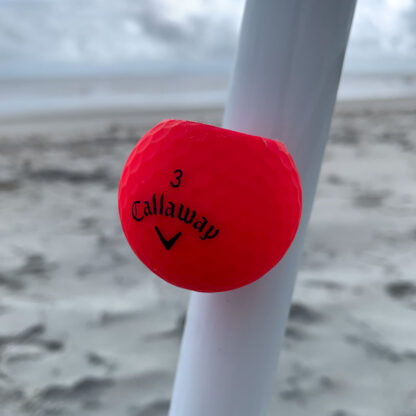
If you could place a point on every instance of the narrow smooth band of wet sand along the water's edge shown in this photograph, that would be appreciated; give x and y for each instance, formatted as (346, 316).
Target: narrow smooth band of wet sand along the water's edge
(144, 117)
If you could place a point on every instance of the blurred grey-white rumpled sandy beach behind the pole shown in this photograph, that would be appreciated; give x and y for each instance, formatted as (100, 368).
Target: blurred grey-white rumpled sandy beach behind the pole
(85, 329)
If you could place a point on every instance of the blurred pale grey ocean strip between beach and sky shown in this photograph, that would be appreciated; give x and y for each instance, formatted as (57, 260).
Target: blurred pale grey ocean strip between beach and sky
(49, 95)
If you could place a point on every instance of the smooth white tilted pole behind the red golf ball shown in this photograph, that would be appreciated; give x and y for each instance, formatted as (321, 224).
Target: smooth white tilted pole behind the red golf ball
(284, 86)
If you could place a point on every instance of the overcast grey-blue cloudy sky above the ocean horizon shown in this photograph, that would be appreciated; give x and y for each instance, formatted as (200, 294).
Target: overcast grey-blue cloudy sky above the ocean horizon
(107, 32)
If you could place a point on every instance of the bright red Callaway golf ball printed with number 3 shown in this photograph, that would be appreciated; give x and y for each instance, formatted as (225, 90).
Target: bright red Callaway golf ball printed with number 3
(206, 208)
